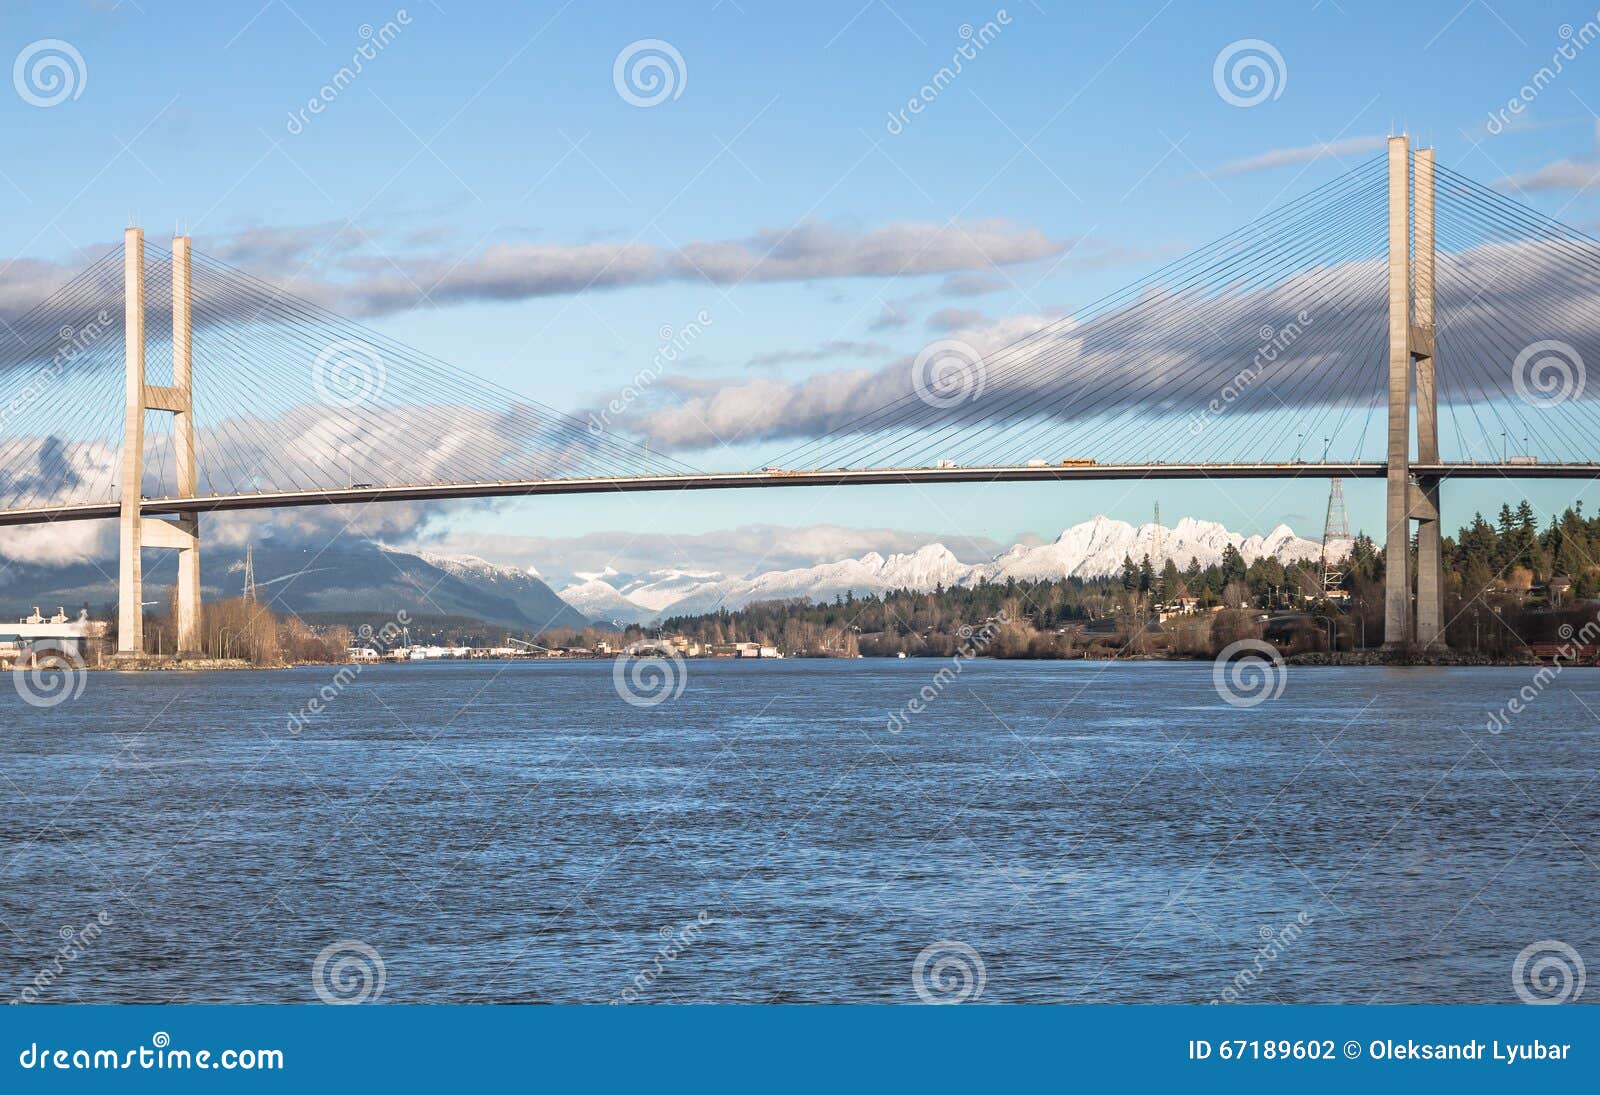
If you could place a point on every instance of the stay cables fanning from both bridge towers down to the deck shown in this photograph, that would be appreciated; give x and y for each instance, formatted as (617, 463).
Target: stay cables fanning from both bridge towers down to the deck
(1268, 345)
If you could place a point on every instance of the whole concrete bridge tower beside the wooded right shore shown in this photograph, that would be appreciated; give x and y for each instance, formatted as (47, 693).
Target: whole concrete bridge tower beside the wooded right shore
(1412, 359)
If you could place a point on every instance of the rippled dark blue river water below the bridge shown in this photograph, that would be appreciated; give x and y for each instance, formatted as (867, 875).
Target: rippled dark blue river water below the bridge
(1038, 833)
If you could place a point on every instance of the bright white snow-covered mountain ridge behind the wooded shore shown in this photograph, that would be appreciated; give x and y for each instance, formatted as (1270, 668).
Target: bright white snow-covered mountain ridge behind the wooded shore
(1092, 550)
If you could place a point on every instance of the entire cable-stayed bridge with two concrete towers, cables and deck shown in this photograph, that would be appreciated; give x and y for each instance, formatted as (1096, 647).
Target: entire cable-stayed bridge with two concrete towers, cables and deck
(1401, 323)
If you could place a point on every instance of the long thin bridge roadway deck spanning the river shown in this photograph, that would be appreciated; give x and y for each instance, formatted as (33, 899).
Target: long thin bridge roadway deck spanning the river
(830, 478)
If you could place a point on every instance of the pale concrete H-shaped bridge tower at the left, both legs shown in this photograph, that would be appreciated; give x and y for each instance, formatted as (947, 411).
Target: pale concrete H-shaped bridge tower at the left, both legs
(140, 532)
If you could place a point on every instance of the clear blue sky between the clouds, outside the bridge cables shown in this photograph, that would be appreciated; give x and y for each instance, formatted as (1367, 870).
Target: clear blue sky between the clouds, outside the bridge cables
(487, 126)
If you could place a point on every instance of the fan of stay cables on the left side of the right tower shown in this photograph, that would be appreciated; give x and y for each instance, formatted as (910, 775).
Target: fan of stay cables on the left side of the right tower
(1196, 363)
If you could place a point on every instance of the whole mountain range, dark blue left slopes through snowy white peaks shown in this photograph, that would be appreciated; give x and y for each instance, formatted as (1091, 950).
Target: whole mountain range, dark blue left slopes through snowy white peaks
(367, 579)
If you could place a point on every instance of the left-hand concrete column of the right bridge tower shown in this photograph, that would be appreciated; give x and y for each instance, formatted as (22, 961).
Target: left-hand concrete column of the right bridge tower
(1398, 537)
